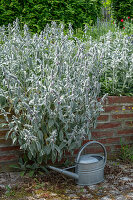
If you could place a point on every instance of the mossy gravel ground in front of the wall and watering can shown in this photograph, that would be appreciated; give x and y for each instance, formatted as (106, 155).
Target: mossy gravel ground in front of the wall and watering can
(118, 185)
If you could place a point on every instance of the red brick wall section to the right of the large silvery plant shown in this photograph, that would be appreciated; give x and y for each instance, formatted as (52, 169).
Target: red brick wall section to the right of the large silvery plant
(114, 123)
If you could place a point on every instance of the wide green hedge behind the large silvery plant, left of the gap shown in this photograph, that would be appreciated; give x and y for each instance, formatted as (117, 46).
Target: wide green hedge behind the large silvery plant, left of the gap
(37, 13)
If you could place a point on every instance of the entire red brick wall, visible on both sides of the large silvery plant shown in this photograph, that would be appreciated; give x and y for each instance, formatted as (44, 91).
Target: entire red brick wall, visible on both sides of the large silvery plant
(114, 123)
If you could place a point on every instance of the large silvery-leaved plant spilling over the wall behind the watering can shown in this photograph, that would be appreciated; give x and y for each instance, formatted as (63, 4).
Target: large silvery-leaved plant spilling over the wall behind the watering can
(52, 84)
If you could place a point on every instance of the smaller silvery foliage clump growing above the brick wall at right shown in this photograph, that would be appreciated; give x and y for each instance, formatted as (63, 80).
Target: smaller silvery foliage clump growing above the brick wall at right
(116, 53)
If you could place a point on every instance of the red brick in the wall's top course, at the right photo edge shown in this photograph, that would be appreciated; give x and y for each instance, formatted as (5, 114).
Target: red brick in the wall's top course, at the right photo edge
(123, 99)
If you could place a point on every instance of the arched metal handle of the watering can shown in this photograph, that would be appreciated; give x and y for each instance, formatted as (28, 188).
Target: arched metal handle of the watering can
(89, 143)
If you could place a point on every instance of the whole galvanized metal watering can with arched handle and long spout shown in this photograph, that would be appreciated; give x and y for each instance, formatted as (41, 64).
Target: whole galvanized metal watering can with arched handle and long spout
(89, 168)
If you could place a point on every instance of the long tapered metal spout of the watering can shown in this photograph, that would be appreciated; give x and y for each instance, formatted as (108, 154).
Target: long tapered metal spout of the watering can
(65, 172)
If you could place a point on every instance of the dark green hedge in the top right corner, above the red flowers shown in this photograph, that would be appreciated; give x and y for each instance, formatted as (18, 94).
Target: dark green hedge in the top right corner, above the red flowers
(122, 9)
